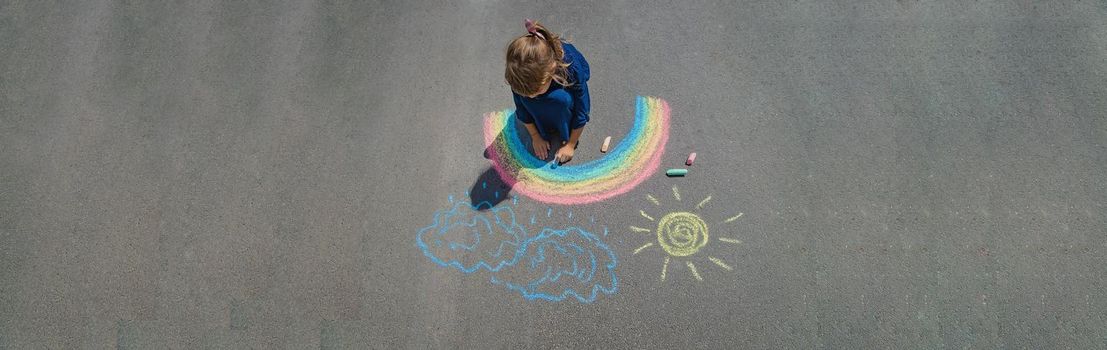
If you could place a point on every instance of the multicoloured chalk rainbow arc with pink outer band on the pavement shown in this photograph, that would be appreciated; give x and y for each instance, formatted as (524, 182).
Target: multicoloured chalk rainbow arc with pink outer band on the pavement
(632, 162)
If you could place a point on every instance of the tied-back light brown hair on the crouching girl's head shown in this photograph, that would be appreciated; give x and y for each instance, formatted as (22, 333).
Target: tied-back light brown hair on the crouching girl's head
(535, 59)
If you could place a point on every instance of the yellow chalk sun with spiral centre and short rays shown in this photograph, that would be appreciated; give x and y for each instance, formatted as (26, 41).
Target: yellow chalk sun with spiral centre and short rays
(682, 235)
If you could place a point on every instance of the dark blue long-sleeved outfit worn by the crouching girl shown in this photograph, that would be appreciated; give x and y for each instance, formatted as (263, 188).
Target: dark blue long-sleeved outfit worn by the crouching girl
(560, 109)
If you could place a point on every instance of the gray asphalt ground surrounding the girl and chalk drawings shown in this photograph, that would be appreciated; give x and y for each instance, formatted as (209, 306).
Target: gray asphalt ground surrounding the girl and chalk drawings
(253, 174)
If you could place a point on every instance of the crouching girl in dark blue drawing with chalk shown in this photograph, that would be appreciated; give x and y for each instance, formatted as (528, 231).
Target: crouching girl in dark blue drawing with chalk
(549, 79)
